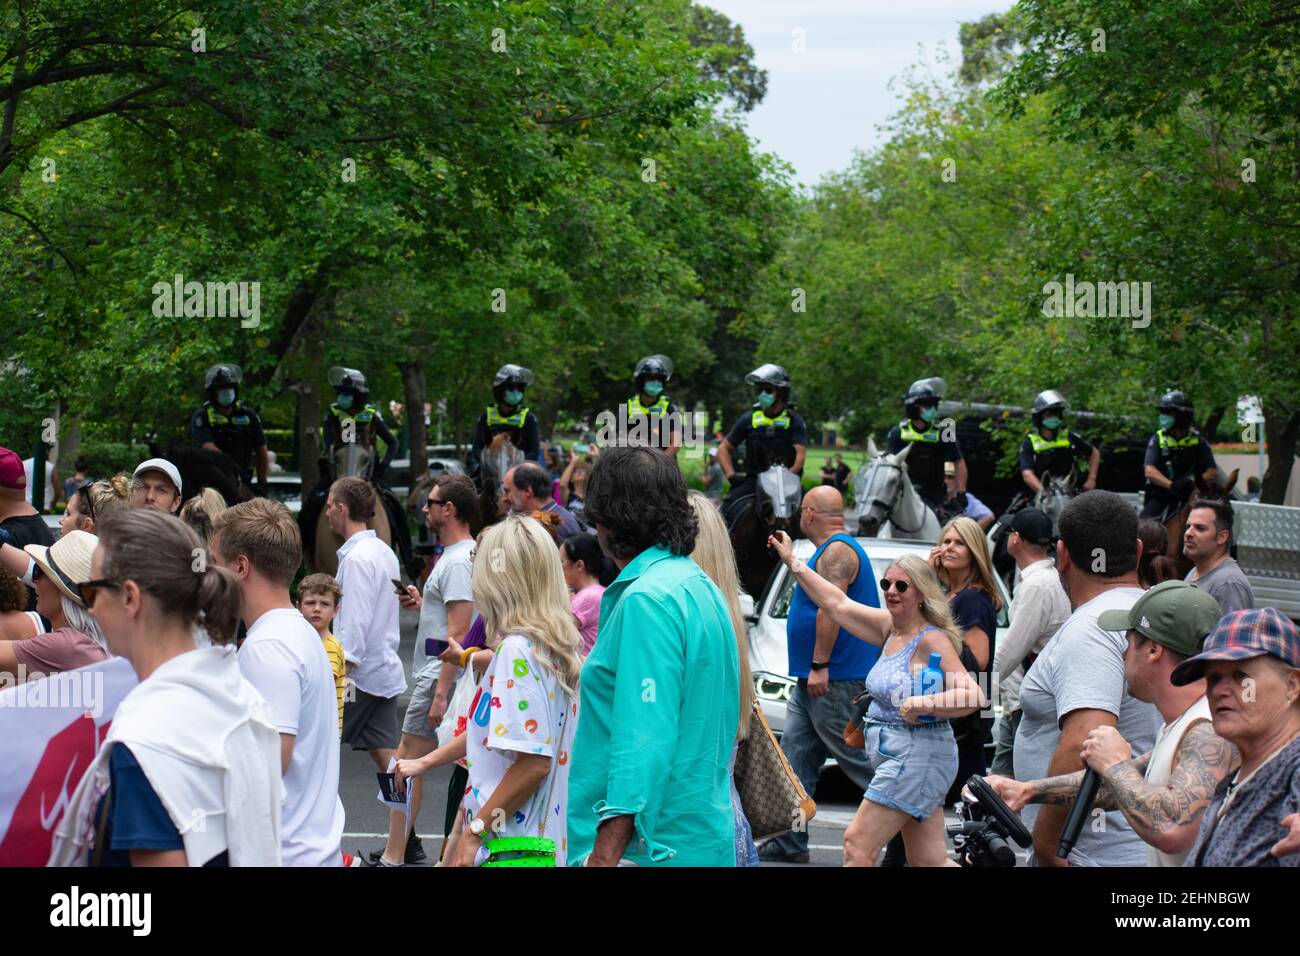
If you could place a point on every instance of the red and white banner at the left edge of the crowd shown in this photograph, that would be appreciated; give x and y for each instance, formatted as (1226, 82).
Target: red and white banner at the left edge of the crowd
(50, 733)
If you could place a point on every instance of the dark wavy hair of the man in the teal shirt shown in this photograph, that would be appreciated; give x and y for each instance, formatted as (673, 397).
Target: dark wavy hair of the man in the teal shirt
(639, 496)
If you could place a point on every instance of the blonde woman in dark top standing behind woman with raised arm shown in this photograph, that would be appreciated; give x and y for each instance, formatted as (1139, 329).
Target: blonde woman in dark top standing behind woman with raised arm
(963, 564)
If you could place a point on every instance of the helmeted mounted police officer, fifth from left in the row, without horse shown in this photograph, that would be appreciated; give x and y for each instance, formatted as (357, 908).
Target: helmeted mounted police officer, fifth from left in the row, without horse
(773, 434)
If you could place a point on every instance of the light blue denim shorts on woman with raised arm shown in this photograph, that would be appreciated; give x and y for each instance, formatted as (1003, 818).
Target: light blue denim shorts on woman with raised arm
(913, 767)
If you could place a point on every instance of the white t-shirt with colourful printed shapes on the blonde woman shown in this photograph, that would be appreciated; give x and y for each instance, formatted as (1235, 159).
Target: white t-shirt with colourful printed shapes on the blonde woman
(519, 708)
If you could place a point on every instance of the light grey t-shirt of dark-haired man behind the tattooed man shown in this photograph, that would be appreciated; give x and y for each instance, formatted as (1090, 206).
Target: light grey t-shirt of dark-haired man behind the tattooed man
(1084, 668)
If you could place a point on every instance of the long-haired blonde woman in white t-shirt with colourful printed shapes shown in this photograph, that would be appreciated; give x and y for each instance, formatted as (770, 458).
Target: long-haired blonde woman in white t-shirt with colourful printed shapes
(525, 712)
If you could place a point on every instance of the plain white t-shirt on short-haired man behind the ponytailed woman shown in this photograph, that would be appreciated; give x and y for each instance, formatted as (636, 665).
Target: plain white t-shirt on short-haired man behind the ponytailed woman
(285, 660)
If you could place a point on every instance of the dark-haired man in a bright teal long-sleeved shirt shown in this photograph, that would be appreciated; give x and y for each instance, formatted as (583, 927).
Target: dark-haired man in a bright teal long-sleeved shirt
(661, 689)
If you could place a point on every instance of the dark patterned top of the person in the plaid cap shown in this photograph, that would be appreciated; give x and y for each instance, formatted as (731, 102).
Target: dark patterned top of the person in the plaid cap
(1253, 823)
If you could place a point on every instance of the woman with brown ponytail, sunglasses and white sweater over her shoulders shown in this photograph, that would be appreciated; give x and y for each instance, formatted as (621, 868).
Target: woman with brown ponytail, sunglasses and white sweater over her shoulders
(189, 775)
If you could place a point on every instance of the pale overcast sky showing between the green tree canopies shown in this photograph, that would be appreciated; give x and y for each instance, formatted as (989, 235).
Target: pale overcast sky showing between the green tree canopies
(829, 100)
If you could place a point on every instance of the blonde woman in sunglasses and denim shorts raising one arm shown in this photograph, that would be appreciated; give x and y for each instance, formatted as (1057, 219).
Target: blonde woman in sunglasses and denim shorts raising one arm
(911, 742)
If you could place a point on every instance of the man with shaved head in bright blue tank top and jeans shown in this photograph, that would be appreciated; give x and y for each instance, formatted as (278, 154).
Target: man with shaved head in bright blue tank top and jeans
(831, 664)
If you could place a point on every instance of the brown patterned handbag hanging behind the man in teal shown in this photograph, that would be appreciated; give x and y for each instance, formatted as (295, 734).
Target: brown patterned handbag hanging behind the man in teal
(770, 794)
